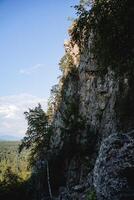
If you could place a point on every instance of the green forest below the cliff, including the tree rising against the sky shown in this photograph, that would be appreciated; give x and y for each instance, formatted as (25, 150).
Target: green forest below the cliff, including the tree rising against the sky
(22, 163)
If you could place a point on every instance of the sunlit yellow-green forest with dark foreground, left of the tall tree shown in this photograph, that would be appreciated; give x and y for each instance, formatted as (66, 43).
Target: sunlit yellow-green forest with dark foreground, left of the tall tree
(14, 172)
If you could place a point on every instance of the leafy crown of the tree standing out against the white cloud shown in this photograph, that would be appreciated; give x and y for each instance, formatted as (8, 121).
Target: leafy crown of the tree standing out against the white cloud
(37, 134)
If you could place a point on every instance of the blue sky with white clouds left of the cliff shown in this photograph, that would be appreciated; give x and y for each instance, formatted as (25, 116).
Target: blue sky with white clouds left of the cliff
(32, 34)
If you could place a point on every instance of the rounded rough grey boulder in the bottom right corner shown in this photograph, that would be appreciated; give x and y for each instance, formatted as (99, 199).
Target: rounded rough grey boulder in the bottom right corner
(114, 168)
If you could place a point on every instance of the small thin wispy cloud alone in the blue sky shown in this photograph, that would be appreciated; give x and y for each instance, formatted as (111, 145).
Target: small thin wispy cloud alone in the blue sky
(30, 70)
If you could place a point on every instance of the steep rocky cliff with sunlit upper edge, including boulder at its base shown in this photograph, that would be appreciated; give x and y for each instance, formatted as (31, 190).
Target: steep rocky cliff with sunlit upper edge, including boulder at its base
(92, 146)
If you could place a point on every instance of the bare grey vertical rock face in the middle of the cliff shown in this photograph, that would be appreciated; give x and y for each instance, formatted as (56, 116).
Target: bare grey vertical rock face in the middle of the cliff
(98, 97)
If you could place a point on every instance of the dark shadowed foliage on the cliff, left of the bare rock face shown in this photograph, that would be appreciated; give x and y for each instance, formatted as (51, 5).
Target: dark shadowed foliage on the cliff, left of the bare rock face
(73, 125)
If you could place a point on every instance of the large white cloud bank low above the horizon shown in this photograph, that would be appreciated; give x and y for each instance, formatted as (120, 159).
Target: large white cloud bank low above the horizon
(12, 119)
